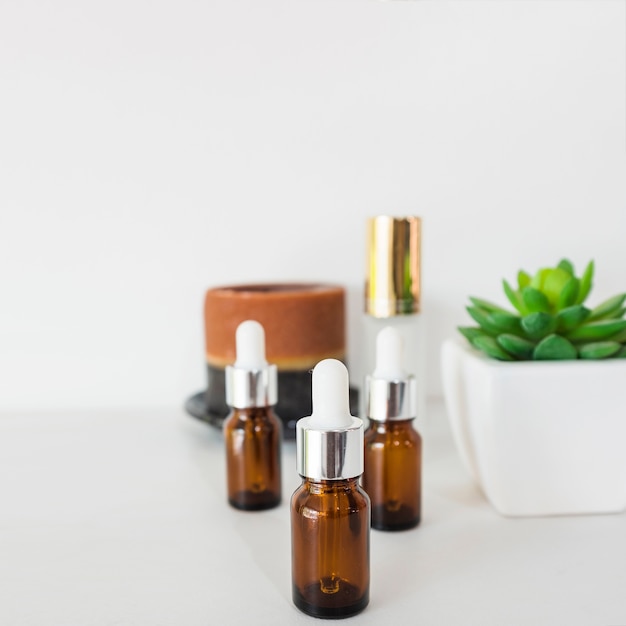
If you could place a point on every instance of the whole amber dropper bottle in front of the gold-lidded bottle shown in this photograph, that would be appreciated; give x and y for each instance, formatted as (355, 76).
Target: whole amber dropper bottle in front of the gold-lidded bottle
(393, 448)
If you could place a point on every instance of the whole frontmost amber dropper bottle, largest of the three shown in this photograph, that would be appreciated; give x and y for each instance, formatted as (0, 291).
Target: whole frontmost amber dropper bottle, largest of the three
(330, 512)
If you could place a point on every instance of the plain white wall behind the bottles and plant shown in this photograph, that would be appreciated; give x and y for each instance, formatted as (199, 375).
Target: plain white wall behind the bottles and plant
(150, 150)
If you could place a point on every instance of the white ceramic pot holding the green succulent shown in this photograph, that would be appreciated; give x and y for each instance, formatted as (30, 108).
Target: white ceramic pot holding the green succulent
(539, 438)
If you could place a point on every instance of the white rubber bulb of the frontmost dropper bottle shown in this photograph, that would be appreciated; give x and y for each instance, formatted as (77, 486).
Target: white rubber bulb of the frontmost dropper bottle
(330, 390)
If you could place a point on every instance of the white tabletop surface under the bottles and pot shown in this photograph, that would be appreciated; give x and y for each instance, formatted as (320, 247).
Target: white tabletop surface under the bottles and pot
(120, 518)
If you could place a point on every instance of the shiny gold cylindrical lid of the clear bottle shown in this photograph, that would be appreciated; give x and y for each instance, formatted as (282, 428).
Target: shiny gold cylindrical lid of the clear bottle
(392, 285)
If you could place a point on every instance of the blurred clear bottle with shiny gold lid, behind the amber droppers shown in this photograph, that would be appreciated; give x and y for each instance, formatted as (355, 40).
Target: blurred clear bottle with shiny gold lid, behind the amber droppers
(393, 291)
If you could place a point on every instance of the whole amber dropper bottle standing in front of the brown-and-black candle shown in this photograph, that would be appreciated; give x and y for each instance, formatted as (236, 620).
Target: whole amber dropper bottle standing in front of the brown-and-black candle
(252, 431)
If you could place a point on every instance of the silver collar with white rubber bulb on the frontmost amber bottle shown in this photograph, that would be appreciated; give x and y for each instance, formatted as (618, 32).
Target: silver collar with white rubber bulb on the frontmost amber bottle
(329, 443)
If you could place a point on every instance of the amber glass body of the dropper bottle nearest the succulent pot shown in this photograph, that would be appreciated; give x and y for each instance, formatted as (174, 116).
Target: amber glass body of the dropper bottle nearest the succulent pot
(392, 478)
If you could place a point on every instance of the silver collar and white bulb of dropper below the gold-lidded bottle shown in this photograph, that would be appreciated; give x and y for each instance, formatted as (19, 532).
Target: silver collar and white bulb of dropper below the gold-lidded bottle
(390, 393)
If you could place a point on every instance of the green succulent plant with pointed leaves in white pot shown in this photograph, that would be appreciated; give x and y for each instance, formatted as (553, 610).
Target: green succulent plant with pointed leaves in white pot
(550, 321)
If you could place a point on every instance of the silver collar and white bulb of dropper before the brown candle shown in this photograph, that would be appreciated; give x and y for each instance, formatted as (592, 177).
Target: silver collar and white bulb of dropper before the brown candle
(251, 381)
